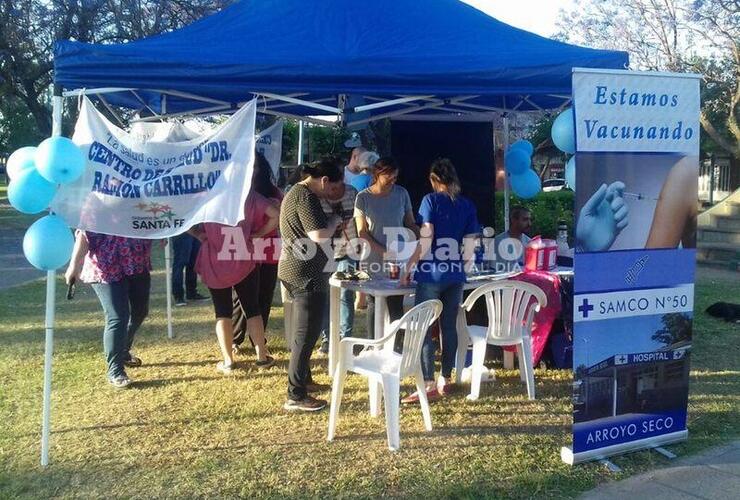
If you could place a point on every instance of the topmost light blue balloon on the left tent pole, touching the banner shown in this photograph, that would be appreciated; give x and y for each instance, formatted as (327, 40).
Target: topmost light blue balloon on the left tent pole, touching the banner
(59, 160)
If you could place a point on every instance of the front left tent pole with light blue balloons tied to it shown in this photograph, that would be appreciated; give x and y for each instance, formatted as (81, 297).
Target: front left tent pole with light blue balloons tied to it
(56, 130)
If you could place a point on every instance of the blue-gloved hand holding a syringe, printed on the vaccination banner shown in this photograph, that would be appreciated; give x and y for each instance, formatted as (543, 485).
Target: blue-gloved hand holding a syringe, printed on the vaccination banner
(602, 218)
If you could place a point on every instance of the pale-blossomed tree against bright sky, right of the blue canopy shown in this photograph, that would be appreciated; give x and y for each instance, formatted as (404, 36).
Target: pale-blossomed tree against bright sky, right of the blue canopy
(700, 36)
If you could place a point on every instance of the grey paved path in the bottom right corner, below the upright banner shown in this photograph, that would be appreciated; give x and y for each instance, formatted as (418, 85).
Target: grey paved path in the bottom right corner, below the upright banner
(714, 474)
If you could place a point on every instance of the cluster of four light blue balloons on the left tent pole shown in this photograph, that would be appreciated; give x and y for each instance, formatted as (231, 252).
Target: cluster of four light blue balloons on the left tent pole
(35, 173)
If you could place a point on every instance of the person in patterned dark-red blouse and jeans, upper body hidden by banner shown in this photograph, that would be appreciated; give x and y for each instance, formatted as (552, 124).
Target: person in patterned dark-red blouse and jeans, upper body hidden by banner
(118, 269)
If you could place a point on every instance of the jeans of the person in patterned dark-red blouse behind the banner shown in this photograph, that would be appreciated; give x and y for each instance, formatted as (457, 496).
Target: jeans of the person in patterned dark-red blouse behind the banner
(125, 304)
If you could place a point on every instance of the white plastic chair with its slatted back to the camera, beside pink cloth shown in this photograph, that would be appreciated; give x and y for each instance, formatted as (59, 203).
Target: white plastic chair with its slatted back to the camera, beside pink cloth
(511, 307)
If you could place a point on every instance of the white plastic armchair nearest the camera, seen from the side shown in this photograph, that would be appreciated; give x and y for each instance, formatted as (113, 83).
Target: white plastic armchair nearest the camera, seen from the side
(381, 364)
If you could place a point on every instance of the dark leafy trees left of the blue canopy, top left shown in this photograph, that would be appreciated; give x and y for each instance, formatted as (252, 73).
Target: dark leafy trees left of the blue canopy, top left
(28, 29)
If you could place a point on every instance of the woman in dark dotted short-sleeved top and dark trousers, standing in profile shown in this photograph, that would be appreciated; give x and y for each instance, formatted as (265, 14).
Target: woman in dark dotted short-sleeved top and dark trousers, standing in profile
(302, 269)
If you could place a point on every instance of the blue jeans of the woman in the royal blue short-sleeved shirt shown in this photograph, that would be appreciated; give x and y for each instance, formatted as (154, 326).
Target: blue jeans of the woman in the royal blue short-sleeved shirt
(451, 296)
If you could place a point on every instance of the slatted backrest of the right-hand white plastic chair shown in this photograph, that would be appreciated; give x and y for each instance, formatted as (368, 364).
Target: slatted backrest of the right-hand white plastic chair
(511, 306)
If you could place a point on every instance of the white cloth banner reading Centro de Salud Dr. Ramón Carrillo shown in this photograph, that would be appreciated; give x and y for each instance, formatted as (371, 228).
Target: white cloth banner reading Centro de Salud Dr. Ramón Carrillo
(147, 189)
